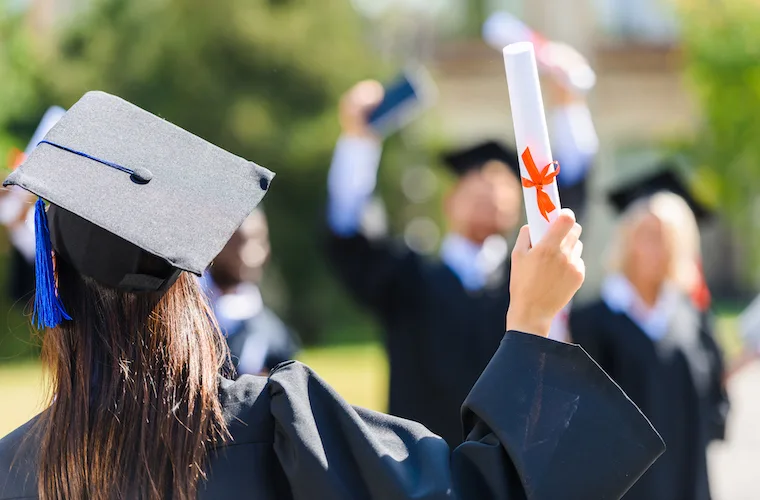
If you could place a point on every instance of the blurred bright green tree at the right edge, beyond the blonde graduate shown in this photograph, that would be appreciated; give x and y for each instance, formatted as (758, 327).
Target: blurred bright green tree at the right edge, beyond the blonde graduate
(722, 47)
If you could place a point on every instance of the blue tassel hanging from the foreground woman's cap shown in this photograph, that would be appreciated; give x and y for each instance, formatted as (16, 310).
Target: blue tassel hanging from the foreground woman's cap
(48, 309)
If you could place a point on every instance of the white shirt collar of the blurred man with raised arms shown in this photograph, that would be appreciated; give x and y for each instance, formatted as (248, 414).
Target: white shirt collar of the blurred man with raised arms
(473, 263)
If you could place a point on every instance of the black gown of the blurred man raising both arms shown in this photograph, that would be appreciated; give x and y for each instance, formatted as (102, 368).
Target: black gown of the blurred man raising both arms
(438, 335)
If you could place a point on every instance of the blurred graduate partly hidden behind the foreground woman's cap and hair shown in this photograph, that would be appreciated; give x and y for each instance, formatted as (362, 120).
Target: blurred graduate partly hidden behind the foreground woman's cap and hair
(258, 339)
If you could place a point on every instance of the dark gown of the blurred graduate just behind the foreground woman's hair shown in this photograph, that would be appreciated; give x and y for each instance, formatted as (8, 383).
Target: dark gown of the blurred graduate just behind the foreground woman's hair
(271, 332)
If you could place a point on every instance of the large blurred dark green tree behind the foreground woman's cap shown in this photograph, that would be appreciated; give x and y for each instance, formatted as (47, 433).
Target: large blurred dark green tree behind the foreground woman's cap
(260, 78)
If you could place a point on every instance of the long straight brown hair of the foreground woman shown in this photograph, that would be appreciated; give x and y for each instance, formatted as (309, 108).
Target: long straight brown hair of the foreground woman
(134, 402)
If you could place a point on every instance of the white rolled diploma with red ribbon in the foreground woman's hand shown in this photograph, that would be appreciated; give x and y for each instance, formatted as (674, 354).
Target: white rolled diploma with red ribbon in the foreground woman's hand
(530, 130)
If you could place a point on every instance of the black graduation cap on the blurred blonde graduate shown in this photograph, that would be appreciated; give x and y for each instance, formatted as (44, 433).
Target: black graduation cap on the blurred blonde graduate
(663, 180)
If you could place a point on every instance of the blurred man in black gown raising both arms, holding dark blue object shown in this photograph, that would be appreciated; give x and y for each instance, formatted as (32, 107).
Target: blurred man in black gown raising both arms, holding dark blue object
(440, 316)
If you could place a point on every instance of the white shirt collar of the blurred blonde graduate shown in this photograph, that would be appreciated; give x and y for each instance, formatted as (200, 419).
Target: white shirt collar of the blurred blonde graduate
(621, 297)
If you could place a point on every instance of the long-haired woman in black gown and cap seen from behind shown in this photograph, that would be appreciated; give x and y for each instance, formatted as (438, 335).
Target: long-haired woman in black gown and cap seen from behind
(543, 421)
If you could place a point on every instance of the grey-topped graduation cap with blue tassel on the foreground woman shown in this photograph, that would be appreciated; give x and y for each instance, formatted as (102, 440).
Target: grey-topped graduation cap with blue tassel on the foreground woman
(134, 200)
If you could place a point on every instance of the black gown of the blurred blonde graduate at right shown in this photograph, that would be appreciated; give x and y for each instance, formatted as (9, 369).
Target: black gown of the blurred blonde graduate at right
(677, 383)
